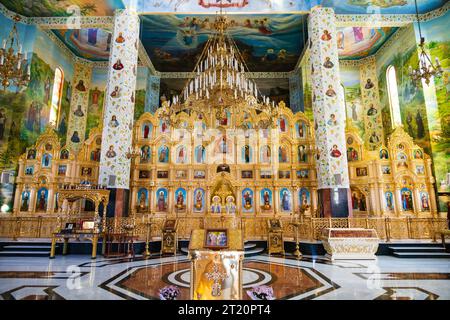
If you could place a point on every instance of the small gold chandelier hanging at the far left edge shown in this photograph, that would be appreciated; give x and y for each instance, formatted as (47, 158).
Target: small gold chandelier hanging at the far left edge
(14, 67)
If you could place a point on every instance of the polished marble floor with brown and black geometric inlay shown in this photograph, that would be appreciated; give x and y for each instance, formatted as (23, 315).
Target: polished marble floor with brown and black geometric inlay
(79, 277)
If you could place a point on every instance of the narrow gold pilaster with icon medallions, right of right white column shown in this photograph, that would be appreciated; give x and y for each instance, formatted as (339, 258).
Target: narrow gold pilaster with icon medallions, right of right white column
(373, 122)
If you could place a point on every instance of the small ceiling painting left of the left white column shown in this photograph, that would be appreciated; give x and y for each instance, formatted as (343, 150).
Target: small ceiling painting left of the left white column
(92, 44)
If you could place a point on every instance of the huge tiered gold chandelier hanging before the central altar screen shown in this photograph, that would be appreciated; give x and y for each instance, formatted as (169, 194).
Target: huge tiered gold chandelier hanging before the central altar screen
(220, 83)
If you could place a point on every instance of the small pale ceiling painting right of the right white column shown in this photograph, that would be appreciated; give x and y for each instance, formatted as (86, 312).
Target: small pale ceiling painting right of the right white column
(357, 42)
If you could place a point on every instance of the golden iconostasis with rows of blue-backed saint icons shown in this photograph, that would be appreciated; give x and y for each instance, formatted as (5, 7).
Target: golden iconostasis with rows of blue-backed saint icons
(228, 166)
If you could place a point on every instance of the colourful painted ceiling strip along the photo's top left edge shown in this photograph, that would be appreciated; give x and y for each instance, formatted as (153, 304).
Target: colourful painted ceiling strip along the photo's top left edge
(61, 8)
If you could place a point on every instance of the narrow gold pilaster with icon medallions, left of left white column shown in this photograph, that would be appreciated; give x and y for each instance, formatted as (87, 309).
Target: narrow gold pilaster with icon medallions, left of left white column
(79, 105)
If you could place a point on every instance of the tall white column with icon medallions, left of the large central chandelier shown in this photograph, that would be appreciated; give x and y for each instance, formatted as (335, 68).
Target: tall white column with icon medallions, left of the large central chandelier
(119, 102)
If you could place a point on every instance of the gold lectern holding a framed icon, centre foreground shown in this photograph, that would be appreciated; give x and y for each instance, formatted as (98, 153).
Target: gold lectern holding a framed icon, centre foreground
(216, 264)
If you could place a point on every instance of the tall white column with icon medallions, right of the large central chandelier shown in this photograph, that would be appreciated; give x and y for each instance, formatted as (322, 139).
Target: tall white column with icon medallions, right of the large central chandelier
(329, 114)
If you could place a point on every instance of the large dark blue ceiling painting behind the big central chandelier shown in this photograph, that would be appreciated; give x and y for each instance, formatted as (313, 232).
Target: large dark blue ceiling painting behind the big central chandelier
(270, 43)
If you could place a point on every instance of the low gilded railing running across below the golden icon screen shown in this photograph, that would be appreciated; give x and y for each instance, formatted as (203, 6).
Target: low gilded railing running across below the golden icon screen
(254, 228)
